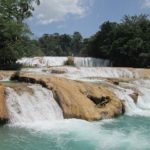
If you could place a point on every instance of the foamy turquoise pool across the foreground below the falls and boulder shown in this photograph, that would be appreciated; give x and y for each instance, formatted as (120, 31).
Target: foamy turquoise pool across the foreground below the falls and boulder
(124, 133)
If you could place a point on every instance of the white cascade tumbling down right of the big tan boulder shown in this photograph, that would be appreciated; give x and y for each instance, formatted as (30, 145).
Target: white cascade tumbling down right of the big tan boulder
(142, 107)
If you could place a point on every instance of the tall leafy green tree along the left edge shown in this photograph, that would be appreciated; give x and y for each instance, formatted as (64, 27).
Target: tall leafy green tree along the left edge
(12, 28)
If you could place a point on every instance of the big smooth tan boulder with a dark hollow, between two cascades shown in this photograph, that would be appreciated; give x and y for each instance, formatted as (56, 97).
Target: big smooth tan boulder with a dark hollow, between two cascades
(78, 99)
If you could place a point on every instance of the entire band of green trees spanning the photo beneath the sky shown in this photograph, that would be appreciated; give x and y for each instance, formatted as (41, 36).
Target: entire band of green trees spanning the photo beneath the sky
(125, 44)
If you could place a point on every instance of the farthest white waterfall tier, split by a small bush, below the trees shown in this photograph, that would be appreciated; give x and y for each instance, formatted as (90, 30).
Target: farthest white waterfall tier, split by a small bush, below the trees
(59, 61)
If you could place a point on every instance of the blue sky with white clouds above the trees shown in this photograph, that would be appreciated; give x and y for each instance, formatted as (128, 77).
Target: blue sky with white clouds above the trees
(85, 16)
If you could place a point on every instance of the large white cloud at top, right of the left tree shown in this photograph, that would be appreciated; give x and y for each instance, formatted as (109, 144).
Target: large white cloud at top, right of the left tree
(57, 10)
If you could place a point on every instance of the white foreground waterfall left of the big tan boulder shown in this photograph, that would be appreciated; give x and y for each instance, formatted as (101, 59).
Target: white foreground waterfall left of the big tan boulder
(25, 107)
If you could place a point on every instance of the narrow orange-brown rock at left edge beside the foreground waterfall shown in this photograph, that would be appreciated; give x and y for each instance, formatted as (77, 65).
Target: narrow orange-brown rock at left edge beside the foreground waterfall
(3, 108)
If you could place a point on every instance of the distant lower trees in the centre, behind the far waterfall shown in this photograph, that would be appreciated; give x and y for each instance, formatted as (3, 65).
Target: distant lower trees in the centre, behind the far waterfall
(61, 45)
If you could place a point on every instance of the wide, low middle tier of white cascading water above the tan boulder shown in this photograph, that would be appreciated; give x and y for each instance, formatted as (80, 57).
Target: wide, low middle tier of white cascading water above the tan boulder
(88, 72)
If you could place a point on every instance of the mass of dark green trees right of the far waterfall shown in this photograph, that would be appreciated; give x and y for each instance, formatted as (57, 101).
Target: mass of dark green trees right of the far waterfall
(125, 44)
